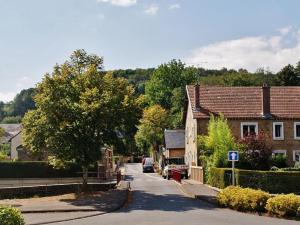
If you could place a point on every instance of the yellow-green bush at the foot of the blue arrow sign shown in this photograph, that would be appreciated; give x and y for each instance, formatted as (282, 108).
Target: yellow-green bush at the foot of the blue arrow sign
(243, 199)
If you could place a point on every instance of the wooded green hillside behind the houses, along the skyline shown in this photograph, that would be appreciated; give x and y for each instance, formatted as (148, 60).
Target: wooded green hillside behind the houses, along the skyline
(165, 81)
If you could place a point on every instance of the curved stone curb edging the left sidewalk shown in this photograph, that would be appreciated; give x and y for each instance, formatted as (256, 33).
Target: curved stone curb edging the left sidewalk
(123, 203)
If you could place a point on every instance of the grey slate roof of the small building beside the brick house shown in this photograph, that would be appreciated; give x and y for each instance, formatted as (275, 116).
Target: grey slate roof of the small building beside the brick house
(174, 139)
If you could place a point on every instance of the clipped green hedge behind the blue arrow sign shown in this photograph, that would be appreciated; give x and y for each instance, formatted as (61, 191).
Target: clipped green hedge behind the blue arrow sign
(270, 181)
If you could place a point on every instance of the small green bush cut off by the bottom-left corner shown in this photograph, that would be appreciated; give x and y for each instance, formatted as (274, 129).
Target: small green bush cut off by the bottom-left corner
(10, 216)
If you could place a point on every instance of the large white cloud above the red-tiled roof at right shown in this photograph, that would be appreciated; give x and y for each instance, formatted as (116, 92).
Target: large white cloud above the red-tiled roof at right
(248, 52)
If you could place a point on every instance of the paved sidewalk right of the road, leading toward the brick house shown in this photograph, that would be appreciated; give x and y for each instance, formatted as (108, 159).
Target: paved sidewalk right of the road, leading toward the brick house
(200, 191)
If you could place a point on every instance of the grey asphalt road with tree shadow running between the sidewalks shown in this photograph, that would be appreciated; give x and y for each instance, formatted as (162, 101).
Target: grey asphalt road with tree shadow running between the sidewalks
(155, 201)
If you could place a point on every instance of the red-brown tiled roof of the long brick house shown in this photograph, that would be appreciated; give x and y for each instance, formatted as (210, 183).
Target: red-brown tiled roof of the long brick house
(245, 102)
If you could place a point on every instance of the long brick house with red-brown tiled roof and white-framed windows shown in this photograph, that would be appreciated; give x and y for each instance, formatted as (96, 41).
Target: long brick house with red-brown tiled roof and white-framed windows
(273, 110)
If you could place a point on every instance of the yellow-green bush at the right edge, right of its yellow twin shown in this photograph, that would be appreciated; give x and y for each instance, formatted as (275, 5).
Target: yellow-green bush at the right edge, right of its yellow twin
(284, 205)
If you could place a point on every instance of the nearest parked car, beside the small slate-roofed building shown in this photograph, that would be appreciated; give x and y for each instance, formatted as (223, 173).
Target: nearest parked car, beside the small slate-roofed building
(175, 164)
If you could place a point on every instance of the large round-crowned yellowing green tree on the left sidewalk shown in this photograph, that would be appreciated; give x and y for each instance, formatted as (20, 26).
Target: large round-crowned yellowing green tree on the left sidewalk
(79, 109)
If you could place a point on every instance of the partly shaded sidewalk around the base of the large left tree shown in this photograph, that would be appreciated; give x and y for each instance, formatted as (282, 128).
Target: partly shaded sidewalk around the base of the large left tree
(100, 201)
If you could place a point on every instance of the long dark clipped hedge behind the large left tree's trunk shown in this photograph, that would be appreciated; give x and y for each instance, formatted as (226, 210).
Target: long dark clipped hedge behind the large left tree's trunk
(37, 169)
